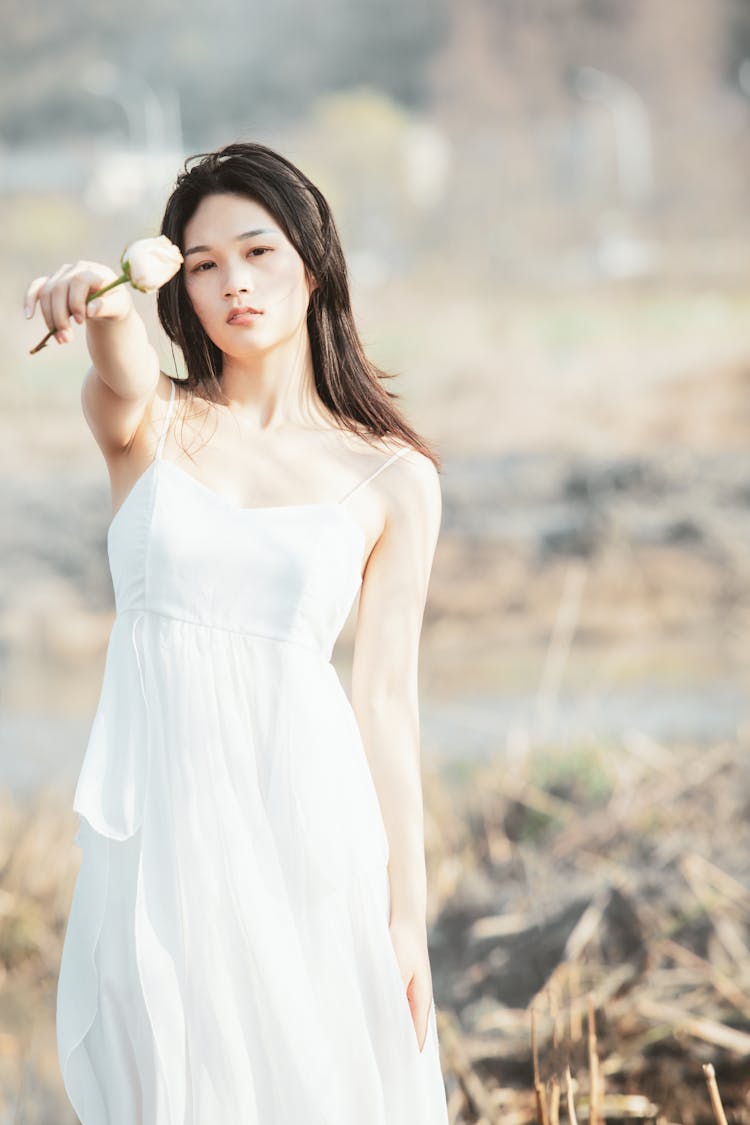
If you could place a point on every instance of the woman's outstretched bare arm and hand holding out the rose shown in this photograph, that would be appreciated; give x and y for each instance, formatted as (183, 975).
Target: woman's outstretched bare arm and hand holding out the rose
(123, 380)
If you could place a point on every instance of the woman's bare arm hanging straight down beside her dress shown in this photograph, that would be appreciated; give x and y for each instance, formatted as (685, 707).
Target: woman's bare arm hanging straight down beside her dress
(385, 698)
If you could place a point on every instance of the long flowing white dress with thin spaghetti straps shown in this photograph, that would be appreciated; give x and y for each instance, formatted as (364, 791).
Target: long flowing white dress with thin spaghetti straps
(228, 957)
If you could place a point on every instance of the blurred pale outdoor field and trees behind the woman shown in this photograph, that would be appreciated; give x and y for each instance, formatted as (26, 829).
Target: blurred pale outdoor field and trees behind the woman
(544, 208)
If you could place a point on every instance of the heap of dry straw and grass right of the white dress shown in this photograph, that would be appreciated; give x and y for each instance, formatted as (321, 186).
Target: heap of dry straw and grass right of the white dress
(591, 931)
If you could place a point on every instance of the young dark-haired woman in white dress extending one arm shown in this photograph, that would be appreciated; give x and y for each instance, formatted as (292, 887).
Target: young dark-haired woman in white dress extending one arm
(248, 939)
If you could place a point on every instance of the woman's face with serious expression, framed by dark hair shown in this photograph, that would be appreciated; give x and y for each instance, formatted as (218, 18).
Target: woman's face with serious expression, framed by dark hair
(237, 255)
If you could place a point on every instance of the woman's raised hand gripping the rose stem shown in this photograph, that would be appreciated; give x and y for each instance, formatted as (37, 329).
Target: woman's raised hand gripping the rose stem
(65, 295)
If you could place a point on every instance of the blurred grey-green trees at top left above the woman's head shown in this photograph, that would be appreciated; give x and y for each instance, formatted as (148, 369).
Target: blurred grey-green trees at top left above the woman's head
(237, 67)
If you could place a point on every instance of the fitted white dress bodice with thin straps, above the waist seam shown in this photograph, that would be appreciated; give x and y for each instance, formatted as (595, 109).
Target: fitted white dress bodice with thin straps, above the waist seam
(288, 573)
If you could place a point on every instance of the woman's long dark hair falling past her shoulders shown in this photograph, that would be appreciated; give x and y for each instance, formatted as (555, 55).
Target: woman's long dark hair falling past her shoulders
(349, 384)
